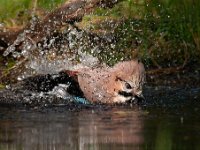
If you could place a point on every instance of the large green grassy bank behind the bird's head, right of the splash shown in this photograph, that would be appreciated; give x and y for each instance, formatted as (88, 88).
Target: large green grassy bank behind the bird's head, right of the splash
(165, 32)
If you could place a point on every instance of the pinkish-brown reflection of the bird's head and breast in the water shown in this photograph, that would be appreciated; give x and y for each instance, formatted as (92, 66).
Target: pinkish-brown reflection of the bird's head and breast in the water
(119, 128)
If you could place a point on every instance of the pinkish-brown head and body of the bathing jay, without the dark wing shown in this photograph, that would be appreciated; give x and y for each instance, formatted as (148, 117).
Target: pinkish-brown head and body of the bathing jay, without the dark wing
(118, 84)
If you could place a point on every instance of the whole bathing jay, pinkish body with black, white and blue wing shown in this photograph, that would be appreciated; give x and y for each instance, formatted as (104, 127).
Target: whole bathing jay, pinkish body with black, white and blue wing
(121, 83)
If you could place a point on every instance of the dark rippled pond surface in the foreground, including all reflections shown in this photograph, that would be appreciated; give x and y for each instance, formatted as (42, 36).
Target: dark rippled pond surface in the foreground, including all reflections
(169, 119)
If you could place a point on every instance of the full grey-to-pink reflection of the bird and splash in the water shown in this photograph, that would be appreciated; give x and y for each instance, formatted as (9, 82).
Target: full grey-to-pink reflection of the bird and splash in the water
(88, 129)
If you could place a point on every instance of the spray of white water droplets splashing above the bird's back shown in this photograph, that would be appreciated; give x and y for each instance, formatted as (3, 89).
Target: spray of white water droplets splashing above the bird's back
(66, 49)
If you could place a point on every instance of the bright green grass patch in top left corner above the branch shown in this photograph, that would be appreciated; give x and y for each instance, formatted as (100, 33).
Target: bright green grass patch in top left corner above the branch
(18, 12)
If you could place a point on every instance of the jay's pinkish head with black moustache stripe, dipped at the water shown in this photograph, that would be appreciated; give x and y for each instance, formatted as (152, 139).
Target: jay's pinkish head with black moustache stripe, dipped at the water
(129, 79)
